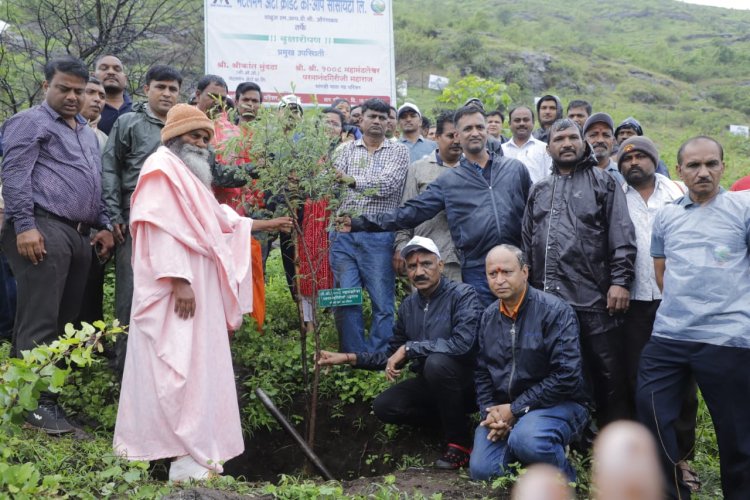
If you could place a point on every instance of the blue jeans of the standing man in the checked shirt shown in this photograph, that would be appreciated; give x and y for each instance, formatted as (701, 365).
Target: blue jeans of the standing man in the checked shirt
(364, 260)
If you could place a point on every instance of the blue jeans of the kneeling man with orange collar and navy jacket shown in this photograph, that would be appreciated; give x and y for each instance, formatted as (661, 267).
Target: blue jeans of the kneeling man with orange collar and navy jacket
(540, 436)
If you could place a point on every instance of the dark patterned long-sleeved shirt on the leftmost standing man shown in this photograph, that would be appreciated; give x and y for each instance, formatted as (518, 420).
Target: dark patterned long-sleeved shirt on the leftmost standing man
(53, 166)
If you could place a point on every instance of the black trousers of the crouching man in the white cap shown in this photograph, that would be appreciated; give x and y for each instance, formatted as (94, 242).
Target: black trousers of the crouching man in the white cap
(444, 389)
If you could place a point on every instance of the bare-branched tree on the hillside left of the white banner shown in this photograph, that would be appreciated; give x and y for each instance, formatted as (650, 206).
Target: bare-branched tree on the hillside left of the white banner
(139, 32)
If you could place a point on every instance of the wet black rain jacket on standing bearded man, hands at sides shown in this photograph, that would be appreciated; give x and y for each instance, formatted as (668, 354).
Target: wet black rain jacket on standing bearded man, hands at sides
(578, 237)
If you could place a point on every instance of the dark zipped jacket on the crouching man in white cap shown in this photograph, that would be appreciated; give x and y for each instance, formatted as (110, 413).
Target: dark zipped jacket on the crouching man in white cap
(446, 322)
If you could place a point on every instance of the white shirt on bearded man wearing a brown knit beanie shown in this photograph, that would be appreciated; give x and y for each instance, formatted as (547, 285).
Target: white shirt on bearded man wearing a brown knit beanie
(642, 214)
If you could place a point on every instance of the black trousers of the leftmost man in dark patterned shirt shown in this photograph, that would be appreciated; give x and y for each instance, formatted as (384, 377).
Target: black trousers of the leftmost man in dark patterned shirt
(49, 293)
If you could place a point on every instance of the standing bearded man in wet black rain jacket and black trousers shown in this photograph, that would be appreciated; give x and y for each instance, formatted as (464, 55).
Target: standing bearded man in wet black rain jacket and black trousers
(580, 243)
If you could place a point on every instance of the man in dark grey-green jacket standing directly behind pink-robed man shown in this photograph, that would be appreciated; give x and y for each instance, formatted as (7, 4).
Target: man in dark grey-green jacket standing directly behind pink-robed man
(133, 138)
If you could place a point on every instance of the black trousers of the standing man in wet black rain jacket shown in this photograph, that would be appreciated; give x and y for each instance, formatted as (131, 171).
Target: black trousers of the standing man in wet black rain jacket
(603, 365)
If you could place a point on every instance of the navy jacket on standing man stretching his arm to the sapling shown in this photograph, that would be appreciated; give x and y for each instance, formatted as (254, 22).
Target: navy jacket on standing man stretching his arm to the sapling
(480, 214)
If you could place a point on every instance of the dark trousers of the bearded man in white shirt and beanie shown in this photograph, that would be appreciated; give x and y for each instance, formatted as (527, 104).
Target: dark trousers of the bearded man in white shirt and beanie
(636, 331)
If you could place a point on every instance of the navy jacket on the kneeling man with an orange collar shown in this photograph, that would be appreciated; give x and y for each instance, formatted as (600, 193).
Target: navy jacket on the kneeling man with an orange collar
(533, 361)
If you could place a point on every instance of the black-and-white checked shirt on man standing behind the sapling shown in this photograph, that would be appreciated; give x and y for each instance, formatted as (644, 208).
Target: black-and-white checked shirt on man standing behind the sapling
(379, 177)
